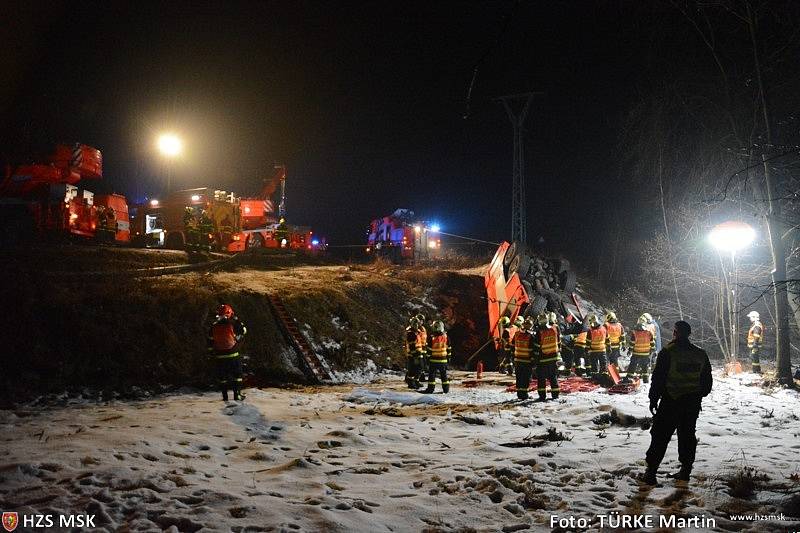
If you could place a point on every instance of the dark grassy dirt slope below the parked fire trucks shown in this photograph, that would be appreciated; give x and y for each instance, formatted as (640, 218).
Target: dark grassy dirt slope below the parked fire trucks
(114, 332)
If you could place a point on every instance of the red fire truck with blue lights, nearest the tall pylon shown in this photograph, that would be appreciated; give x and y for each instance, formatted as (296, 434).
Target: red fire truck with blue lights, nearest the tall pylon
(401, 238)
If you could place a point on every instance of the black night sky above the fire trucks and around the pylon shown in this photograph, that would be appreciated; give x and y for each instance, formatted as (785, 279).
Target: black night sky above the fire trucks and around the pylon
(363, 101)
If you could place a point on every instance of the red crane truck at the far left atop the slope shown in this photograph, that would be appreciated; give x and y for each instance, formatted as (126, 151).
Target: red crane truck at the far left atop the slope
(44, 199)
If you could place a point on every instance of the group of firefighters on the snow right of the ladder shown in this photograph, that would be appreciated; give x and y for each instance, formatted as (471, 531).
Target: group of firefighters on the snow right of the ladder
(545, 347)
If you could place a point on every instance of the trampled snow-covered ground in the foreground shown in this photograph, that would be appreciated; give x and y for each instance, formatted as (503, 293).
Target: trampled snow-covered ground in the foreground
(310, 460)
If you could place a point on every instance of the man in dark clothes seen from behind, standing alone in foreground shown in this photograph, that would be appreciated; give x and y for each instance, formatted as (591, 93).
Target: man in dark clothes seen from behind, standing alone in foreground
(681, 379)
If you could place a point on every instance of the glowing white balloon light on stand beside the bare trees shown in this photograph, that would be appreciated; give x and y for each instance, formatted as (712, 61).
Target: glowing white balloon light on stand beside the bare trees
(731, 237)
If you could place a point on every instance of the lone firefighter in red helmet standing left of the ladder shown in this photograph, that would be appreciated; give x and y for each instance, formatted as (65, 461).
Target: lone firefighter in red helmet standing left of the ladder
(224, 340)
